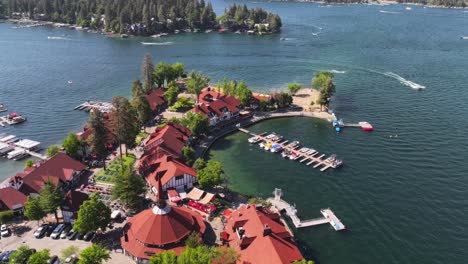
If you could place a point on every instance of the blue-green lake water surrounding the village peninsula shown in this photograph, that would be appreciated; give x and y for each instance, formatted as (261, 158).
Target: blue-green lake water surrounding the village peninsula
(403, 190)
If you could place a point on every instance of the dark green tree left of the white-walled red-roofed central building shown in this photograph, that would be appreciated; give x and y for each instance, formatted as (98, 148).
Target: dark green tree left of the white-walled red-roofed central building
(129, 188)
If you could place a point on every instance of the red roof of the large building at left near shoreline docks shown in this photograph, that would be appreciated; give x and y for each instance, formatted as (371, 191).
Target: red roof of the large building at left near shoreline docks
(58, 168)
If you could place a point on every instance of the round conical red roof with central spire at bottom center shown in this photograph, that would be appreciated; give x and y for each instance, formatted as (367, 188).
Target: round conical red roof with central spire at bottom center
(161, 231)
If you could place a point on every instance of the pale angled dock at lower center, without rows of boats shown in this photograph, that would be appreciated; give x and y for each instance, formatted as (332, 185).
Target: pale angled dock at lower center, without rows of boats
(329, 216)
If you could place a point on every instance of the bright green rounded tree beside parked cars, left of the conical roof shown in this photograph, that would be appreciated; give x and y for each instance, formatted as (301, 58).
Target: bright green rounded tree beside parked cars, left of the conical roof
(93, 214)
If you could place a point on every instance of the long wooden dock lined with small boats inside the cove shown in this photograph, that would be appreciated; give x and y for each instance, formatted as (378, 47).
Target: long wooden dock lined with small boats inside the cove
(302, 157)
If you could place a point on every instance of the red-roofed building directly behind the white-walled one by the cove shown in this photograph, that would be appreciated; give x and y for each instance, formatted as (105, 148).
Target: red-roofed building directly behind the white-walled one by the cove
(168, 140)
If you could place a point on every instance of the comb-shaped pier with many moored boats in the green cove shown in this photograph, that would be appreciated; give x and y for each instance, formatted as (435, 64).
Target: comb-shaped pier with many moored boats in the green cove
(303, 157)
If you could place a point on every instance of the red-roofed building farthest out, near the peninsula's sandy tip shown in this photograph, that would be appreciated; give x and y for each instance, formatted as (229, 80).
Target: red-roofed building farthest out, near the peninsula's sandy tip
(217, 107)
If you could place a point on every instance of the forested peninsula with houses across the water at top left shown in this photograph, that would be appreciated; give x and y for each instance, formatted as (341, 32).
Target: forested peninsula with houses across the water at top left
(143, 17)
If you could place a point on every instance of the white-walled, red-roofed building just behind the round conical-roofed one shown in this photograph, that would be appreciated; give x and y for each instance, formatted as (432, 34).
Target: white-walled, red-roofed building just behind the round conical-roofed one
(173, 174)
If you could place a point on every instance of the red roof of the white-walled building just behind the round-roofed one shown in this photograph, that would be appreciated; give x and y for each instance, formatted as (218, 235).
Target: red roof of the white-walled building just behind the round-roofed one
(167, 168)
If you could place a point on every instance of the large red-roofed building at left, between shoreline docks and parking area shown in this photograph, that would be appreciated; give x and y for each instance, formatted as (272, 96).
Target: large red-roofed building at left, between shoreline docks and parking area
(60, 169)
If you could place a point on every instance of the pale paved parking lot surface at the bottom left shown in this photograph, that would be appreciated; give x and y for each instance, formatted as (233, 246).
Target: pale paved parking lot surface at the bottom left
(54, 245)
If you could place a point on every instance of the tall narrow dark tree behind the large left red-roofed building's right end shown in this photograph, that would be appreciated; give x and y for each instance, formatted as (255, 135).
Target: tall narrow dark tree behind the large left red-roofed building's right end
(98, 138)
